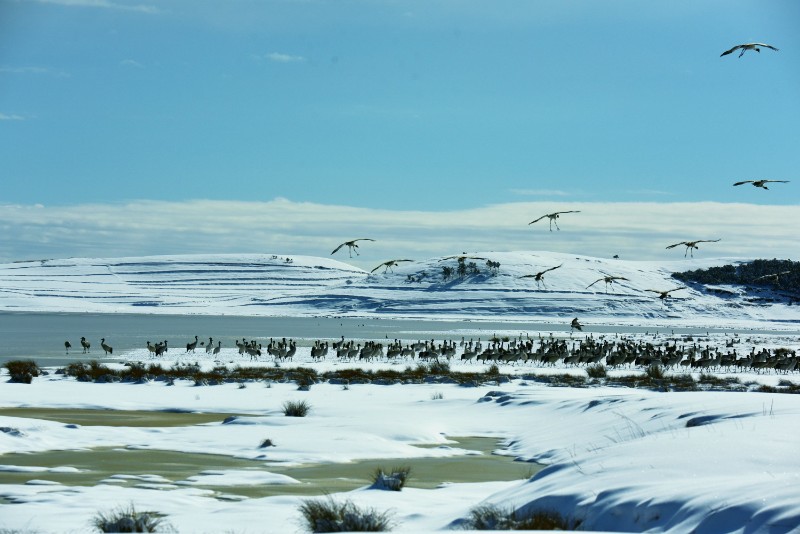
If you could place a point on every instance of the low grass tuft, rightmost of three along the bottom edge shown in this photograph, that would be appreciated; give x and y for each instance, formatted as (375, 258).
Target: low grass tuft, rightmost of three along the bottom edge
(491, 517)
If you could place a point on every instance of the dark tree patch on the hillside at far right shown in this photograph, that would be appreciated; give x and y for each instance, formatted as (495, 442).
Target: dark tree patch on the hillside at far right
(783, 275)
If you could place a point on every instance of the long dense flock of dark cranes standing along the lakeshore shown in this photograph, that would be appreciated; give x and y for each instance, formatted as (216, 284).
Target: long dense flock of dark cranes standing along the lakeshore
(543, 351)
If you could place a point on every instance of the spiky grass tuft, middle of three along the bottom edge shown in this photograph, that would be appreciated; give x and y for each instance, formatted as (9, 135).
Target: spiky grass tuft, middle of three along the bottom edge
(331, 516)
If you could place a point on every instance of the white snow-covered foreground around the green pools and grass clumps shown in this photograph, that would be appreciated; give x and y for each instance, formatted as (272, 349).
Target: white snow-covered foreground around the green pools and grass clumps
(618, 459)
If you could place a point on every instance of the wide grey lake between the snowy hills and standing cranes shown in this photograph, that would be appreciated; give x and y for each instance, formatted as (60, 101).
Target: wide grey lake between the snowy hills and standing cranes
(41, 336)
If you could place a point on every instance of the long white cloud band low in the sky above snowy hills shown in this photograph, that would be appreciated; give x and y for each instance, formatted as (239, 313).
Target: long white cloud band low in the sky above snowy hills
(635, 231)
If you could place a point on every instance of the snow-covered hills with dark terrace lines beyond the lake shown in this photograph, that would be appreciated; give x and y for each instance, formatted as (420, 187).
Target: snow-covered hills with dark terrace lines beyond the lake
(278, 285)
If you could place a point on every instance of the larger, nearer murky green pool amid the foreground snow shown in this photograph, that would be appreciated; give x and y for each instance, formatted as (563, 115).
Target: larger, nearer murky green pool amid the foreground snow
(168, 469)
